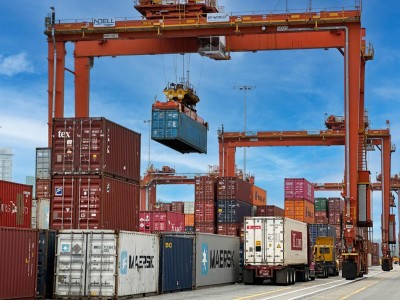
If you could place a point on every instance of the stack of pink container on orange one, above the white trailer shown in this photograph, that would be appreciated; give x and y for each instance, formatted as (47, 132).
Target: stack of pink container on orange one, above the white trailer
(299, 200)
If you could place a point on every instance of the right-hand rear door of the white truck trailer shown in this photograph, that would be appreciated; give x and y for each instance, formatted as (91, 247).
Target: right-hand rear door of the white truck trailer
(274, 240)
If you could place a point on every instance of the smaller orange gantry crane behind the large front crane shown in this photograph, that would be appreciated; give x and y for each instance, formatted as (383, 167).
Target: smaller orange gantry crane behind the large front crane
(354, 236)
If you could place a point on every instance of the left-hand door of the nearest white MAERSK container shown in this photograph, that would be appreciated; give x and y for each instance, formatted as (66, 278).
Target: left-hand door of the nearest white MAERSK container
(71, 264)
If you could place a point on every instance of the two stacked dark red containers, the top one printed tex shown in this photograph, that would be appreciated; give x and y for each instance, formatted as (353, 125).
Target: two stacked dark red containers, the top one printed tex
(95, 169)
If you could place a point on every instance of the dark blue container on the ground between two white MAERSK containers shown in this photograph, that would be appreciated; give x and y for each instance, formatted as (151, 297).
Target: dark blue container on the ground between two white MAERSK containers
(176, 263)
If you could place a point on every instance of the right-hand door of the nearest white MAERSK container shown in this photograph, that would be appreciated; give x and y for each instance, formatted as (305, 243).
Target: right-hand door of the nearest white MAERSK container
(101, 270)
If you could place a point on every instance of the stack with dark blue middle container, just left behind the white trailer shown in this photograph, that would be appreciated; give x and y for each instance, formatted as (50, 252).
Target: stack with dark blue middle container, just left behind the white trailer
(233, 195)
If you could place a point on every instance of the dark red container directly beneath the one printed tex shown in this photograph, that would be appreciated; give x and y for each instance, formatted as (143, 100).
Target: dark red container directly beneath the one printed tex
(94, 202)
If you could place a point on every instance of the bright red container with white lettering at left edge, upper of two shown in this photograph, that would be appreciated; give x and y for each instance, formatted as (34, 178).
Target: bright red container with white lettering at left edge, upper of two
(15, 204)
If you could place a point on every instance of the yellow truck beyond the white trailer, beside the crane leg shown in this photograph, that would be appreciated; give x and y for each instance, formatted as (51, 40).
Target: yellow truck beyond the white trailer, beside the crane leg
(325, 257)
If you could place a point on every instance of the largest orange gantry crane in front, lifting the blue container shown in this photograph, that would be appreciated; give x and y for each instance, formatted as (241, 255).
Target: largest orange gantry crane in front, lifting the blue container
(214, 34)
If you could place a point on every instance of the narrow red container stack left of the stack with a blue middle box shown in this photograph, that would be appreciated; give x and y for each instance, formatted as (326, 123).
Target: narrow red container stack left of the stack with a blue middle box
(205, 204)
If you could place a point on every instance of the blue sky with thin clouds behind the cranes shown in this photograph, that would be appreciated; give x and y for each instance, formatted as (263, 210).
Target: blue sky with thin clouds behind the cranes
(294, 90)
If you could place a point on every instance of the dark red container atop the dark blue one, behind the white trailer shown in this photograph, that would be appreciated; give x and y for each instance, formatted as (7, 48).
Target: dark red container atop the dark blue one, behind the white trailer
(233, 188)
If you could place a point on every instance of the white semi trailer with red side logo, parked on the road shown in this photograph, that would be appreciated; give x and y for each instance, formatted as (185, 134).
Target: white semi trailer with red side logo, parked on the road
(277, 248)
